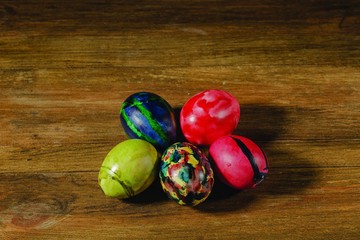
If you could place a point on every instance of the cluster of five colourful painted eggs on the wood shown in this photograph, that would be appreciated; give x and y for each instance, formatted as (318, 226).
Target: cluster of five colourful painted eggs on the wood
(186, 174)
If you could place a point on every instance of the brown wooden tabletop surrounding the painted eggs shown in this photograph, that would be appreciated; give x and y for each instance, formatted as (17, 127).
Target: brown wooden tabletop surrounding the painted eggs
(66, 67)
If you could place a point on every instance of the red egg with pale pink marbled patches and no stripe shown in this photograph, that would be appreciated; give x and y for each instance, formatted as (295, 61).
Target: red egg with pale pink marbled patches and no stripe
(209, 115)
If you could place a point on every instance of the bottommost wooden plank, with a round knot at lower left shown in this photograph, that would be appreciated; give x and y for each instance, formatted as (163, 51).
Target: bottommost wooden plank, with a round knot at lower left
(32, 203)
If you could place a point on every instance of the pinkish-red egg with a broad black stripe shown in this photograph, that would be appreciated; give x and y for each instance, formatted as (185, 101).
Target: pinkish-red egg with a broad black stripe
(238, 161)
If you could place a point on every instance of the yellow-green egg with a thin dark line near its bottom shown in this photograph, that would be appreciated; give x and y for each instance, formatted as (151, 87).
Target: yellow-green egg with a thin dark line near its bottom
(128, 169)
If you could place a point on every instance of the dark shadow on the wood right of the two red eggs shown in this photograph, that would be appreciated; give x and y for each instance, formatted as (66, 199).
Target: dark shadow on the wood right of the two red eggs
(264, 124)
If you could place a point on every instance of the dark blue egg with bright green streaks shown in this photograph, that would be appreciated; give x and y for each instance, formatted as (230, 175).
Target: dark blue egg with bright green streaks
(148, 116)
